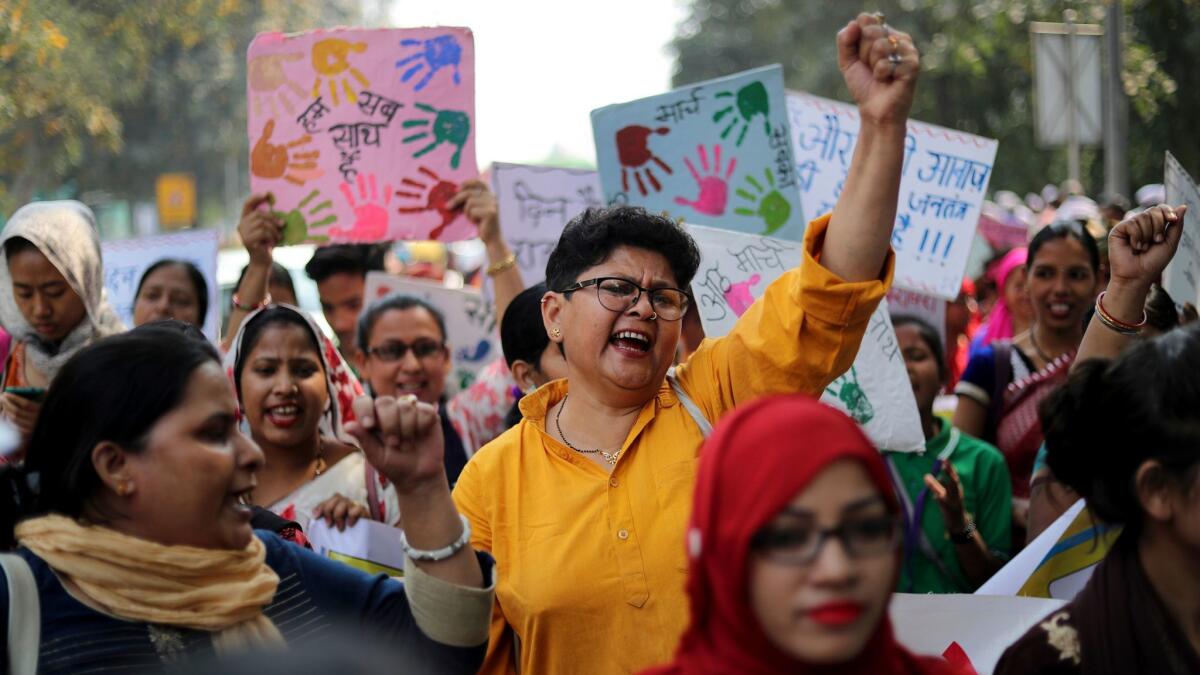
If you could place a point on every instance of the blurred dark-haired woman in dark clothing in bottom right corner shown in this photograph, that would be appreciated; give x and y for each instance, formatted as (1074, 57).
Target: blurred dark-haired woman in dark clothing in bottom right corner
(1126, 437)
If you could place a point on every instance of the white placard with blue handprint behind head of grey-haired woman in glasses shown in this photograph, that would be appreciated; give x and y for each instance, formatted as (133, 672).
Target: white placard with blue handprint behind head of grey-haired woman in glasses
(471, 321)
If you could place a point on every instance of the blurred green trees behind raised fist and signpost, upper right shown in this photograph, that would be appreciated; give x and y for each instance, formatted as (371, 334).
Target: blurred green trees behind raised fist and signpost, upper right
(977, 70)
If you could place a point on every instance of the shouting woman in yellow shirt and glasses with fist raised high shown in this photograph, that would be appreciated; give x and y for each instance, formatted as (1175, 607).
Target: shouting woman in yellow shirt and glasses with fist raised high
(585, 503)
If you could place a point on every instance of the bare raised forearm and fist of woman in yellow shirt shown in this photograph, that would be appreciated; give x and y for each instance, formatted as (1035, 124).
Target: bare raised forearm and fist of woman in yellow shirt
(880, 65)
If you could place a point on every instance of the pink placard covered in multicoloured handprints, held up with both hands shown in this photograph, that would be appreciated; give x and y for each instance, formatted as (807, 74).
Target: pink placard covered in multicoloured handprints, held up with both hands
(364, 135)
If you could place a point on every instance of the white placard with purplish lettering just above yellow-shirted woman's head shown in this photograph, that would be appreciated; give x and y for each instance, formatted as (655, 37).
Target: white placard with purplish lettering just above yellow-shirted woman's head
(536, 205)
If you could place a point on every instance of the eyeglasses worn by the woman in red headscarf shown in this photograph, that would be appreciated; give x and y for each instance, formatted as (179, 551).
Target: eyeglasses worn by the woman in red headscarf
(802, 546)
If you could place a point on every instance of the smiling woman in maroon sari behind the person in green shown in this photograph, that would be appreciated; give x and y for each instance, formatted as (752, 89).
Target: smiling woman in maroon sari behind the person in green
(1004, 384)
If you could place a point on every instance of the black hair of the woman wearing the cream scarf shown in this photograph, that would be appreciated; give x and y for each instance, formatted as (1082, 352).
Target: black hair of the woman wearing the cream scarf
(115, 390)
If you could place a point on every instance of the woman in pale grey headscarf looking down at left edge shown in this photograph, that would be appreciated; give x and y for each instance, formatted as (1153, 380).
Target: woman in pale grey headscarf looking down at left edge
(52, 300)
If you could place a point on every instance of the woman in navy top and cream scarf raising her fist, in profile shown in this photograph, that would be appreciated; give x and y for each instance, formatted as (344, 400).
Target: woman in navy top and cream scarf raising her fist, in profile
(130, 512)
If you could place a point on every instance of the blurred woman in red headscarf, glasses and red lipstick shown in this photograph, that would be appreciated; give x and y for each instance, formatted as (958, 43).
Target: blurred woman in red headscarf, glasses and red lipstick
(793, 549)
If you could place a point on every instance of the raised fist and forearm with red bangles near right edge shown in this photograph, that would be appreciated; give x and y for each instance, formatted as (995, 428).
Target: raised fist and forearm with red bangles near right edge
(1139, 250)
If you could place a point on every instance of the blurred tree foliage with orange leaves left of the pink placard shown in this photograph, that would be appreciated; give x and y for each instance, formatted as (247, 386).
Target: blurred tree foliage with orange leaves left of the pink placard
(109, 94)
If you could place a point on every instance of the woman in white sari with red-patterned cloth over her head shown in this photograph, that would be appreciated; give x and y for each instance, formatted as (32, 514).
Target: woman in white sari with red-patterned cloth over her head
(295, 391)
